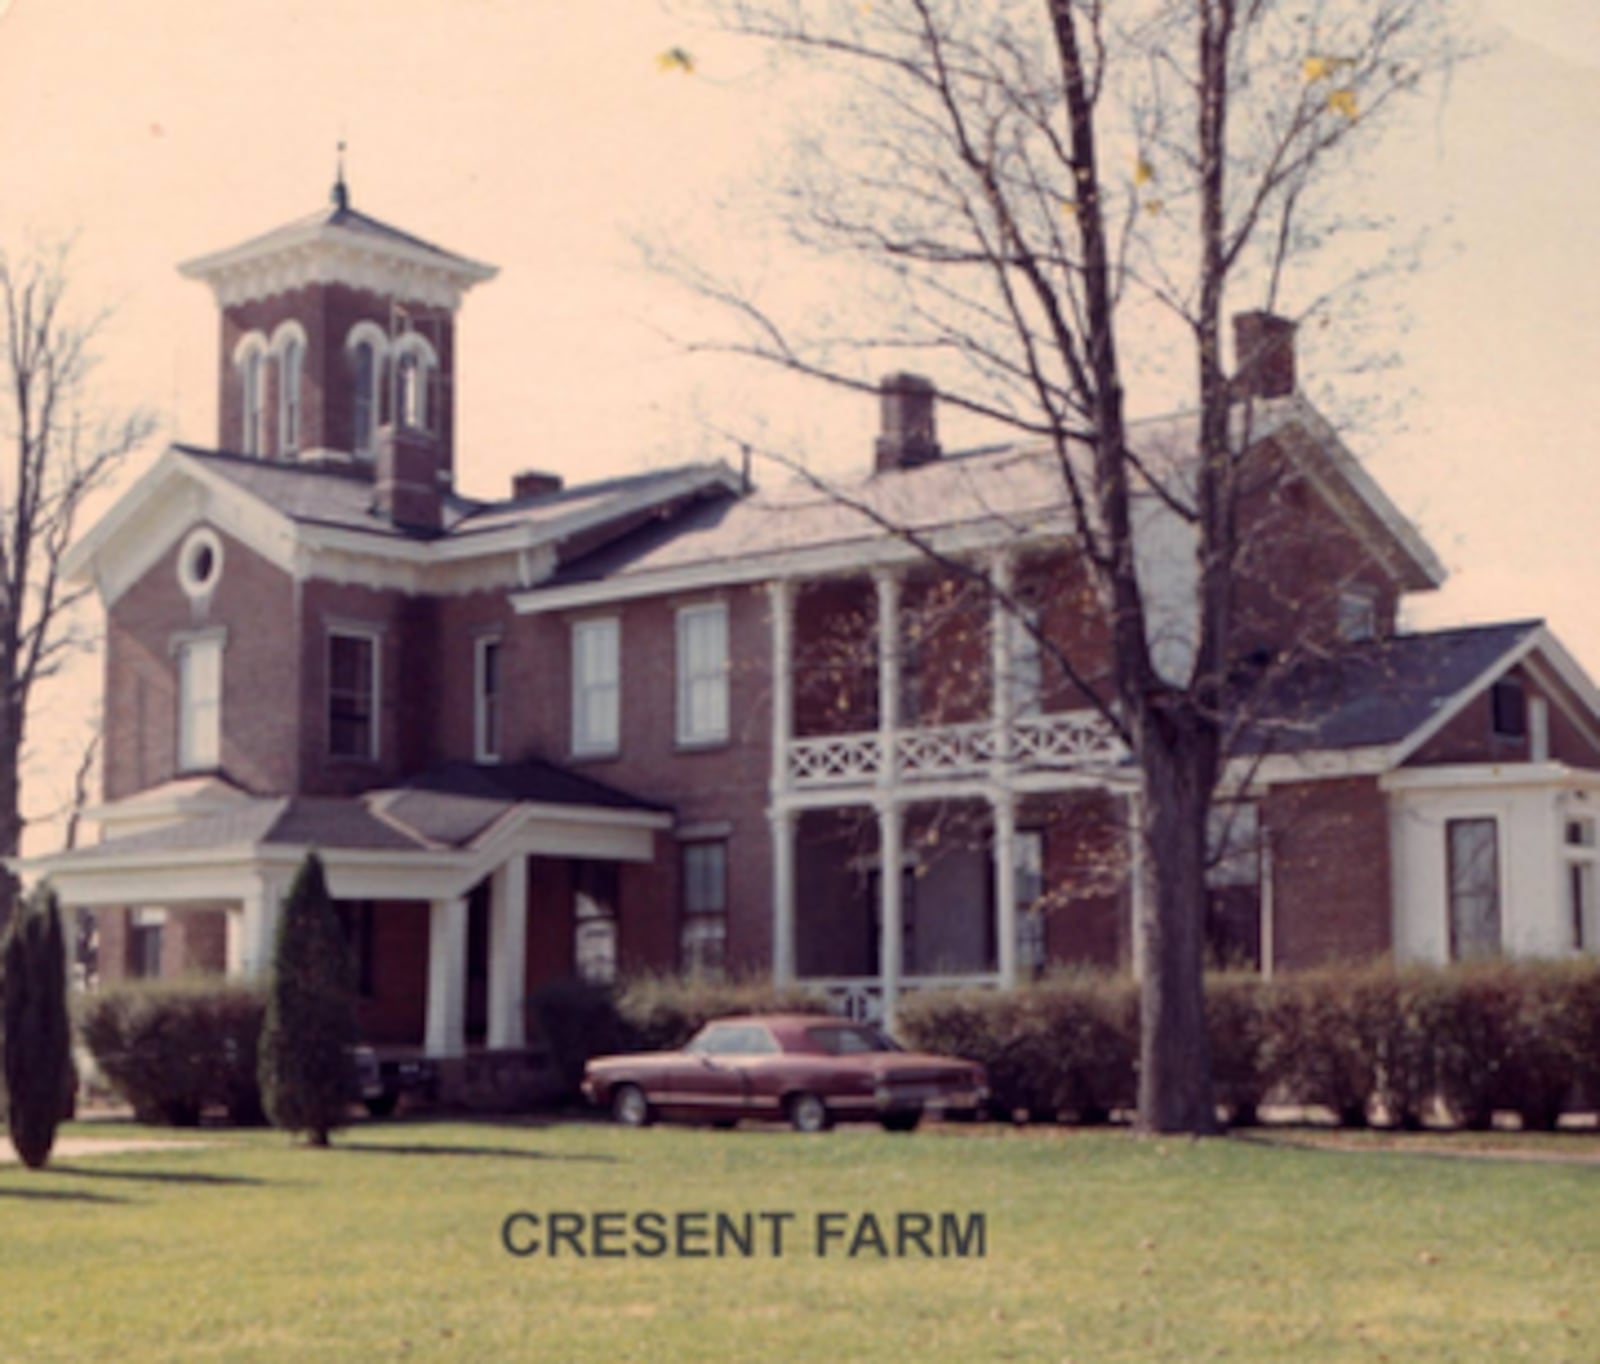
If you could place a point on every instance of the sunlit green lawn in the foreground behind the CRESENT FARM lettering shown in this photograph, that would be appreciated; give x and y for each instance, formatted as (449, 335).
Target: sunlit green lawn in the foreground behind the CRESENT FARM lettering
(1098, 1248)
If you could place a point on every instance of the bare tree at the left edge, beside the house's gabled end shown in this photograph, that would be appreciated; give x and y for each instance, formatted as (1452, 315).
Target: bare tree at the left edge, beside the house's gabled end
(62, 449)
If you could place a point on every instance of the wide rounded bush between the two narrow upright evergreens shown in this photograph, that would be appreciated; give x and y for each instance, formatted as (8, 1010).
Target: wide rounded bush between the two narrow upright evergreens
(174, 1049)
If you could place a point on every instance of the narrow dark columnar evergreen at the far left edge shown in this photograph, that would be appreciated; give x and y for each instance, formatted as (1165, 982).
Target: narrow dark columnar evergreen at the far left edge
(38, 1080)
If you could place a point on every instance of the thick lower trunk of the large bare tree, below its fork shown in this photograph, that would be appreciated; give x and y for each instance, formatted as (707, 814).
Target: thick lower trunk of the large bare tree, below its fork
(1175, 1053)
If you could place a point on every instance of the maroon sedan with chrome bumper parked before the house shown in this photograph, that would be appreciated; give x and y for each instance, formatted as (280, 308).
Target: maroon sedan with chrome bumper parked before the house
(806, 1069)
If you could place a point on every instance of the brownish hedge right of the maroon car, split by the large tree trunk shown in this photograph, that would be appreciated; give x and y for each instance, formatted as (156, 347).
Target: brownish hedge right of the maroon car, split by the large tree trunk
(1367, 1043)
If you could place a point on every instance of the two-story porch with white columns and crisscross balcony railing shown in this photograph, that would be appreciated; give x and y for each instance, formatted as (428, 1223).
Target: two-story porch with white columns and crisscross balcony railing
(918, 726)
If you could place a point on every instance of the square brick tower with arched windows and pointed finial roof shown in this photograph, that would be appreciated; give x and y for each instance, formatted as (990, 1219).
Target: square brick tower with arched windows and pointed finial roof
(335, 329)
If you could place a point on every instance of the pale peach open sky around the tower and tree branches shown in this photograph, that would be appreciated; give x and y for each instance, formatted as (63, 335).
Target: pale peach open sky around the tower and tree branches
(543, 138)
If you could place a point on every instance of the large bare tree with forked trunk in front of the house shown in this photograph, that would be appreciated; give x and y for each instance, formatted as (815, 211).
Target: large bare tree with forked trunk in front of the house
(1058, 199)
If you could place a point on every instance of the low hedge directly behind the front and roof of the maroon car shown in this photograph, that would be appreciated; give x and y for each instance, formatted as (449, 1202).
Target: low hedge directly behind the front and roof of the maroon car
(646, 1014)
